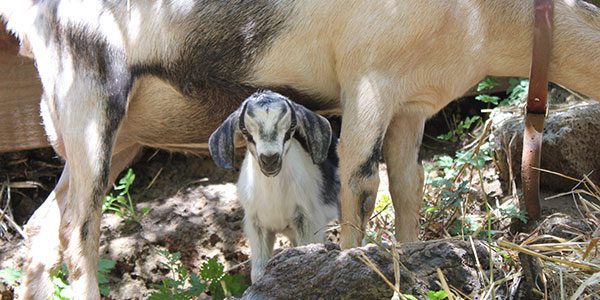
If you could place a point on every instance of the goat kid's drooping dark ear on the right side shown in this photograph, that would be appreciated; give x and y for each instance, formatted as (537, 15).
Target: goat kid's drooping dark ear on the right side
(317, 132)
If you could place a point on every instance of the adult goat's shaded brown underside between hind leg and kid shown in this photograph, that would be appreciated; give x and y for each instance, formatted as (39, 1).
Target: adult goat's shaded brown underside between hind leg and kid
(160, 116)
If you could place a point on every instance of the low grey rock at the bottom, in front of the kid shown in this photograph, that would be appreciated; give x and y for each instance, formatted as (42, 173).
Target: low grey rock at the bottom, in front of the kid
(322, 271)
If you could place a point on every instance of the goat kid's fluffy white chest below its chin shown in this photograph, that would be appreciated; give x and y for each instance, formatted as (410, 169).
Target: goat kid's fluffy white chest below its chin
(274, 201)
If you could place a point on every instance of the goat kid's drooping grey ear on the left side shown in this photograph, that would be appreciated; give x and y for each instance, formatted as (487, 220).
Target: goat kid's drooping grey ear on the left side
(221, 143)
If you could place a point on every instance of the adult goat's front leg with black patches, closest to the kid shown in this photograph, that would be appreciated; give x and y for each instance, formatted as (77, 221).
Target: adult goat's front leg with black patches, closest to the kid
(366, 119)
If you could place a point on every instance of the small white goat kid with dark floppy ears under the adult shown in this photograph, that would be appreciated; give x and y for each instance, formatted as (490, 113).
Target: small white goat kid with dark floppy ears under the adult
(288, 182)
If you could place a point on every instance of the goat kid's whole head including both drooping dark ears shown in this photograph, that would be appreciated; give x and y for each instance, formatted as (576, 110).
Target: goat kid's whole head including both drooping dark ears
(267, 121)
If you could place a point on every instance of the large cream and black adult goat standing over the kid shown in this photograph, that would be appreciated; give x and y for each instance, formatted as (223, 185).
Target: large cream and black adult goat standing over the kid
(120, 74)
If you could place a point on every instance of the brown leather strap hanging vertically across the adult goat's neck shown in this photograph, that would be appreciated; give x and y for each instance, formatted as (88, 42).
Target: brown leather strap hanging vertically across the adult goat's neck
(536, 106)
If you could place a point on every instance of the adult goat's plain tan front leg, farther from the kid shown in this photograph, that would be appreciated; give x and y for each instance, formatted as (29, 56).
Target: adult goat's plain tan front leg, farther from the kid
(401, 150)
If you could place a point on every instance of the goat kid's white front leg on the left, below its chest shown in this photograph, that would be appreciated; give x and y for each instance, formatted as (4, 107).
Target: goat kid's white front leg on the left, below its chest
(261, 246)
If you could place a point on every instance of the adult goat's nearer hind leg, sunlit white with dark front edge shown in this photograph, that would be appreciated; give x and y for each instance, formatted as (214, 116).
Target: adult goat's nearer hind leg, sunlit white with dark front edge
(90, 118)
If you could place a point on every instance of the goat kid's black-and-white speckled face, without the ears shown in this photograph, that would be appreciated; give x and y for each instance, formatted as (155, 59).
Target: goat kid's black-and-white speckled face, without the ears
(268, 124)
